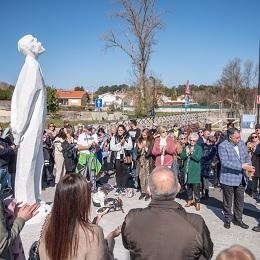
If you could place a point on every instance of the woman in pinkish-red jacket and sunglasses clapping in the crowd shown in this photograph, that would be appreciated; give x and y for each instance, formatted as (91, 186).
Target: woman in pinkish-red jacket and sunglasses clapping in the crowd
(163, 148)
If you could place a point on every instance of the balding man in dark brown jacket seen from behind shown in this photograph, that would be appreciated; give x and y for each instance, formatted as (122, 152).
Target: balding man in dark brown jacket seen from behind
(164, 230)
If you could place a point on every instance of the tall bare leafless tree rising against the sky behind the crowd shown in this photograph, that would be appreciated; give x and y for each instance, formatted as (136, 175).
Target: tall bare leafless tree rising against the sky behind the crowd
(141, 22)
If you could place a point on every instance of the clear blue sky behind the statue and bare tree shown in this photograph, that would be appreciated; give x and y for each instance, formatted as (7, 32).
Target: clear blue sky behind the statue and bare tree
(198, 39)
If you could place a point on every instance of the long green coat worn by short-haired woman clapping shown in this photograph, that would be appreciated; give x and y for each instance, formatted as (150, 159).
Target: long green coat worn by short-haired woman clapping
(194, 171)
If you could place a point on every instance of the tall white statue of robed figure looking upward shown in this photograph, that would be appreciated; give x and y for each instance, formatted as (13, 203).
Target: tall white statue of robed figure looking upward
(28, 113)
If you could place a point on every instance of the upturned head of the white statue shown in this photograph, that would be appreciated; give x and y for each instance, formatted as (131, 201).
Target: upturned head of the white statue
(29, 46)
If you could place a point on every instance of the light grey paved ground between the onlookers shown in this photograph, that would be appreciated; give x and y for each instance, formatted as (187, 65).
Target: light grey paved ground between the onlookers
(211, 212)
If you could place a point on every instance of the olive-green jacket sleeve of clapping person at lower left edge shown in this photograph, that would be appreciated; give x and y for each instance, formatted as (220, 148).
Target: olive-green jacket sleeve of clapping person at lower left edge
(8, 236)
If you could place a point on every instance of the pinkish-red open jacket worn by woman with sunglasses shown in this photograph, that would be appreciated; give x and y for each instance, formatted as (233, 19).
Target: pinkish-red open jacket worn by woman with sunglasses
(170, 150)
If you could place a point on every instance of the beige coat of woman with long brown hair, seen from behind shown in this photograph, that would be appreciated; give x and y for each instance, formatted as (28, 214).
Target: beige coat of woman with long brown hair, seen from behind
(90, 247)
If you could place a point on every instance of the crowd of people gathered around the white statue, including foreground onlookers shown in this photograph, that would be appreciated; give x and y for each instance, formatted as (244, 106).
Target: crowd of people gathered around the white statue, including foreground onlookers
(158, 163)
